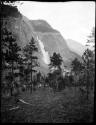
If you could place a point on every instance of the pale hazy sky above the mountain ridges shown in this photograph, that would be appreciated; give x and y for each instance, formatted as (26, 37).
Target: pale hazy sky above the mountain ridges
(74, 20)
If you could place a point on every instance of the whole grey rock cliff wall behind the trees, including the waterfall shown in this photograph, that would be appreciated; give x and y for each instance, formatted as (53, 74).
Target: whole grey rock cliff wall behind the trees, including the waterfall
(51, 39)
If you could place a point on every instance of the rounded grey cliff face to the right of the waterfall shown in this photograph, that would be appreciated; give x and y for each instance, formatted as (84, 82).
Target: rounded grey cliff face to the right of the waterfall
(53, 41)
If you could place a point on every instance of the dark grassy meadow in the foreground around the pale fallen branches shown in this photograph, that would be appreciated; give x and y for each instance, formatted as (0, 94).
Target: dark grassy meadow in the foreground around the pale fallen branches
(49, 107)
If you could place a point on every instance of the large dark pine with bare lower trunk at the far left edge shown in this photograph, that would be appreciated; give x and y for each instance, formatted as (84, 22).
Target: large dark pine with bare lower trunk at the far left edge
(10, 51)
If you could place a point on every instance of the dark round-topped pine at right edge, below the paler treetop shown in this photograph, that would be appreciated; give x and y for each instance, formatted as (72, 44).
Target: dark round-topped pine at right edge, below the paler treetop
(89, 68)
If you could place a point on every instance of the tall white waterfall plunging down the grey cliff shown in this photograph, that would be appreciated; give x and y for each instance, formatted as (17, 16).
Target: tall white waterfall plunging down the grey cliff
(46, 57)
